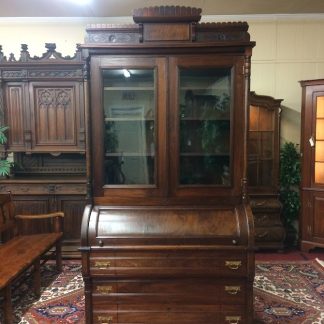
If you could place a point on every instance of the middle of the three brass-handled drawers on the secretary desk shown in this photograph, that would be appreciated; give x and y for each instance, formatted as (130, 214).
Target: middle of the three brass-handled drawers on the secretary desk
(189, 291)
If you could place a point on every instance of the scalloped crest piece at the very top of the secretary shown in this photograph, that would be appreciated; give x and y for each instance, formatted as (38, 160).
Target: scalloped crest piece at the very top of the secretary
(167, 14)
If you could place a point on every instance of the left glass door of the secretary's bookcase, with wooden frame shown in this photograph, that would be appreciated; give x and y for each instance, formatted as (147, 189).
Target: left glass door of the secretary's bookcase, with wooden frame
(128, 125)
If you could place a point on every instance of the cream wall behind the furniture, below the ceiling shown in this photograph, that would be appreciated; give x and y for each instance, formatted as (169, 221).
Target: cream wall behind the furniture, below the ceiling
(289, 48)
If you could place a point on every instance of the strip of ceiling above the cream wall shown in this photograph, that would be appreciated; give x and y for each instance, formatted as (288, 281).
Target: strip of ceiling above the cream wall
(119, 8)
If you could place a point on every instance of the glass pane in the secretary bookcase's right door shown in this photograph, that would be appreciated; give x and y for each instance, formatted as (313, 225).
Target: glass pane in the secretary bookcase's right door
(205, 109)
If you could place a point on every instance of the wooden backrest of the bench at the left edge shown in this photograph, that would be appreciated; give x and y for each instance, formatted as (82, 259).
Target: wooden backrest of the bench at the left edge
(7, 217)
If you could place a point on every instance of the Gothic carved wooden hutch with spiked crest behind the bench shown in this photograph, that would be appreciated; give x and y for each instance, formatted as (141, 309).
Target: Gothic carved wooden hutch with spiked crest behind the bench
(42, 103)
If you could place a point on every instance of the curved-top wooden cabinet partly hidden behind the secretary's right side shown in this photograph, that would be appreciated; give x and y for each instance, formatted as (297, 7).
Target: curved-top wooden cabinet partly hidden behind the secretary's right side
(263, 171)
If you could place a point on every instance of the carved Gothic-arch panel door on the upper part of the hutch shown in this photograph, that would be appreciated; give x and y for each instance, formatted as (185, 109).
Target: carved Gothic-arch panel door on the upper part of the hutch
(55, 111)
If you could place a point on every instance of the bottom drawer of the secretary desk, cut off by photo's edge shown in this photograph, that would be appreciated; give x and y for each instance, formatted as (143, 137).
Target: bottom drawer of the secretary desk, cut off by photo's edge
(170, 314)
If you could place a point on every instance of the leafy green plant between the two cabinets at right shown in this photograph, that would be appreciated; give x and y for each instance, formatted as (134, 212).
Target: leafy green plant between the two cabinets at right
(289, 178)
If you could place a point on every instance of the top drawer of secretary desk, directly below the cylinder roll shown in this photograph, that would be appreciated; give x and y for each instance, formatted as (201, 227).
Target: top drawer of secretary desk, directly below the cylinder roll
(168, 263)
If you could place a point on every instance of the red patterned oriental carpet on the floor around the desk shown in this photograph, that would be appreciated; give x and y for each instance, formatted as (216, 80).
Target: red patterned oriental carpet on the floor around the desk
(285, 292)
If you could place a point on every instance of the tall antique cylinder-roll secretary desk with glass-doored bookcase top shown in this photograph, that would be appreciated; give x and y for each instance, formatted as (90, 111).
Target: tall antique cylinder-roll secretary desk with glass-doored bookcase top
(168, 236)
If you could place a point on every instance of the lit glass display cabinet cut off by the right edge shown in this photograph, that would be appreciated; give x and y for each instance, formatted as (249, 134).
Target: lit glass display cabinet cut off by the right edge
(312, 151)
